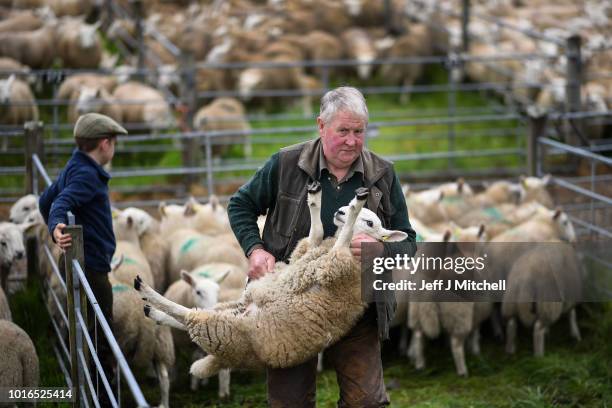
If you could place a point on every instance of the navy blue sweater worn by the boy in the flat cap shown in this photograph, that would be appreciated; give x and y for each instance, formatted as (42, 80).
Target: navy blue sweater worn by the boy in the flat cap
(82, 187)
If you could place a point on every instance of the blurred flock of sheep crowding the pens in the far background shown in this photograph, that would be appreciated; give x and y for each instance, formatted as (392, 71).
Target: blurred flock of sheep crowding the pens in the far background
(288, 31)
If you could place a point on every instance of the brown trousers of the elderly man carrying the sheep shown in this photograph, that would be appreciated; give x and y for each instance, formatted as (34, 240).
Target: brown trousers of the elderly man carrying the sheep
(356, 359)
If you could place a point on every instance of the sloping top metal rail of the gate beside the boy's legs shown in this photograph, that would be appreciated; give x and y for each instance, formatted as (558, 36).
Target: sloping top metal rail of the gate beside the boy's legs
(121, 361)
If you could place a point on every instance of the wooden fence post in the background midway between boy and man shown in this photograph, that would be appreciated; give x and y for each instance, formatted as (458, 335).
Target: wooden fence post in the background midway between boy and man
(191, 146)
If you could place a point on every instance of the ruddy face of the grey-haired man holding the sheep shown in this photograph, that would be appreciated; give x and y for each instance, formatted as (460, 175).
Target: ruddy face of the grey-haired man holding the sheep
(342, 138)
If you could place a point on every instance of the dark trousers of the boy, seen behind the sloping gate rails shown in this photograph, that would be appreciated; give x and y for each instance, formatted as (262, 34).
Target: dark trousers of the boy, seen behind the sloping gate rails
(103, 291)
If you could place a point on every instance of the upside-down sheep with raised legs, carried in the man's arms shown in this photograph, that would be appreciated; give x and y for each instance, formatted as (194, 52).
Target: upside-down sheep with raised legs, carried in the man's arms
(291, 314)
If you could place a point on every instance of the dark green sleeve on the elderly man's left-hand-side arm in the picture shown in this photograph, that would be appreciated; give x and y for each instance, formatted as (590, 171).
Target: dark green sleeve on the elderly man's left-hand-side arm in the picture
(252, 200)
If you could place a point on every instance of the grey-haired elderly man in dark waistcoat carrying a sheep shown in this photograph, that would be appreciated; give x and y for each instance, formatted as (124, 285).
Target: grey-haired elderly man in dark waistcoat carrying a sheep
(339, 162)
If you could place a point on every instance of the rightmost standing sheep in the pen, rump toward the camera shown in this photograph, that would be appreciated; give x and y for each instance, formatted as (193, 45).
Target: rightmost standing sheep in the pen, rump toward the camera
(545, 273)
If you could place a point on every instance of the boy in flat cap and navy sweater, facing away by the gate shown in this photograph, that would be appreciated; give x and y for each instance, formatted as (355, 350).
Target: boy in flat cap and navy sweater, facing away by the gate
(82, 188)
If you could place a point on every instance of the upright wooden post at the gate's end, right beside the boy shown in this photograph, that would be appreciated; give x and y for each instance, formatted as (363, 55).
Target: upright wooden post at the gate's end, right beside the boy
(75, 251)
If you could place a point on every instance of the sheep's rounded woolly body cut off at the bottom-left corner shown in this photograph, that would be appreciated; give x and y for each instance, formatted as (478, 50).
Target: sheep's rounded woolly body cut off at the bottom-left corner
(19, 363)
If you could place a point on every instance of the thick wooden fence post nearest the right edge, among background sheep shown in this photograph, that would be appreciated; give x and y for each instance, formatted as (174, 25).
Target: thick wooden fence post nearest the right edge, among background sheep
(573, 85)
